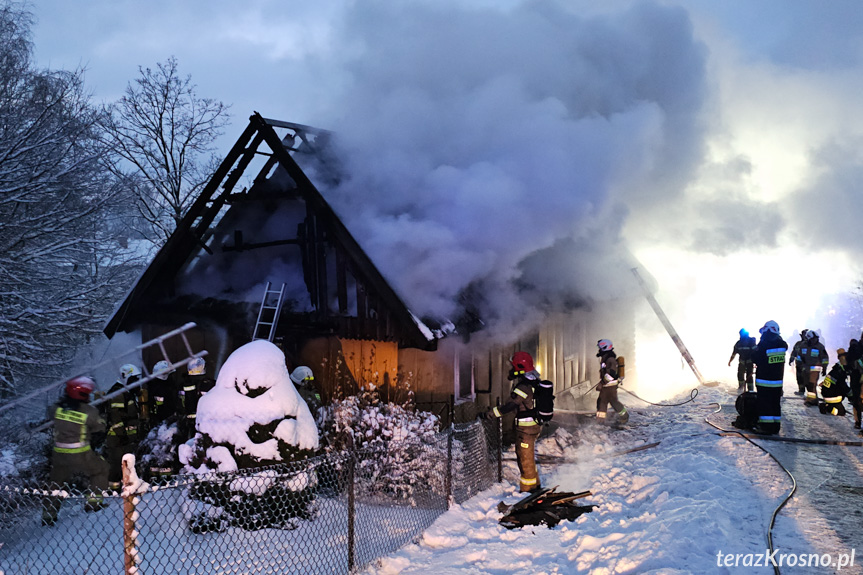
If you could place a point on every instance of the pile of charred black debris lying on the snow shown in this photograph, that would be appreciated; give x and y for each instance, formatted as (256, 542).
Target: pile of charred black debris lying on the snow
(543, 507)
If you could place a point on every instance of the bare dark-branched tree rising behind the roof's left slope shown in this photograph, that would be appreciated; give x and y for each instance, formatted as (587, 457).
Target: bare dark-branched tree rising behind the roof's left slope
(161, 134)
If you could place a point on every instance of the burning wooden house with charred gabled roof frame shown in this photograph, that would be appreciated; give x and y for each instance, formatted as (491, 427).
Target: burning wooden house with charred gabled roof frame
(261, 254)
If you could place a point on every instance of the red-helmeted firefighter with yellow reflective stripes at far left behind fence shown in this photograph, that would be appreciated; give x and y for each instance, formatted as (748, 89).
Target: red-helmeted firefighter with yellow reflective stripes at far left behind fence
(78, 429)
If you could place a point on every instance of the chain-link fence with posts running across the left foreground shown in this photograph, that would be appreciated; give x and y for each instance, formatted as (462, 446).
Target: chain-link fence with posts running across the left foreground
(329, 514)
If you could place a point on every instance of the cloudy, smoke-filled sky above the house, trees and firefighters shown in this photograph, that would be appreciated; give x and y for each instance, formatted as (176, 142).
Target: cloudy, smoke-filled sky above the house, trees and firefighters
(720, 140)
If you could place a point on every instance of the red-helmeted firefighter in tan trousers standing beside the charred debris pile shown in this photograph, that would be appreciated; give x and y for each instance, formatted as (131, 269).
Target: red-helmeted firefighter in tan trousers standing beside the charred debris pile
(524, 376)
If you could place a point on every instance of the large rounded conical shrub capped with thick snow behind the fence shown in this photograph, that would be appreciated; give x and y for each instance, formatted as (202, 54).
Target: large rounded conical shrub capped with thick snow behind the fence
(252, 420)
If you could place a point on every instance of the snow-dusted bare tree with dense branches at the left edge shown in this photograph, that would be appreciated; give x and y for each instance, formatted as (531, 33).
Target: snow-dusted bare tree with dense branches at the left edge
(60, 270)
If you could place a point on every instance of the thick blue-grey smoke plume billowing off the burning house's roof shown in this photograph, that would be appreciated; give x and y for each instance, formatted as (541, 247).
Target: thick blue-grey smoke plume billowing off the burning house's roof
(480, 145)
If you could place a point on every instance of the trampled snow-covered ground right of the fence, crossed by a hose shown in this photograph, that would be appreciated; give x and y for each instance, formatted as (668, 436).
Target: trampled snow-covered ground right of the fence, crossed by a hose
(679, 507)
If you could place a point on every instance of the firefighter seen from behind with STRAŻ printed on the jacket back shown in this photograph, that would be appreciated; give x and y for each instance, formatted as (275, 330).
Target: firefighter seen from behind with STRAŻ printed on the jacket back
(769, 358)
